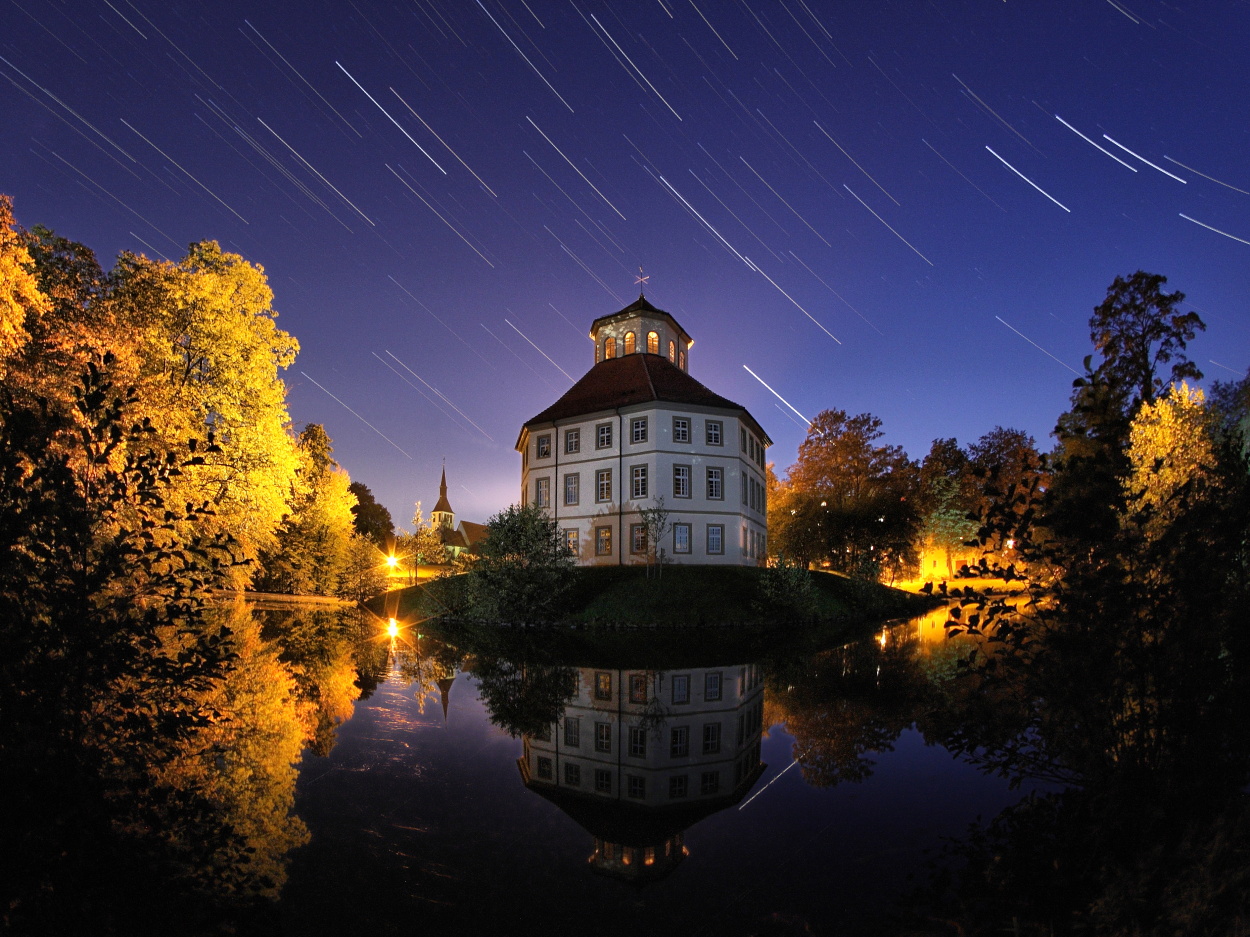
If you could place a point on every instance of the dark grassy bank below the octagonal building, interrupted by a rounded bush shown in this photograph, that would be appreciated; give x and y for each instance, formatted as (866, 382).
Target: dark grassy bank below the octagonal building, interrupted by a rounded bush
(609, 598)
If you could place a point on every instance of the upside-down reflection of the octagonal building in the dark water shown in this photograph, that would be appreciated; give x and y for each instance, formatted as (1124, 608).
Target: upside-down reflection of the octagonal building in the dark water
(641, 756)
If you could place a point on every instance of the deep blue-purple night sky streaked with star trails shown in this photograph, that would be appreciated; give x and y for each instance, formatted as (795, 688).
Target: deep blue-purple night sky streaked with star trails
(877, 207)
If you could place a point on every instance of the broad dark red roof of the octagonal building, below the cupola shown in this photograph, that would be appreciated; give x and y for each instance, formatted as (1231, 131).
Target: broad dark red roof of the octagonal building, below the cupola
(634, 379)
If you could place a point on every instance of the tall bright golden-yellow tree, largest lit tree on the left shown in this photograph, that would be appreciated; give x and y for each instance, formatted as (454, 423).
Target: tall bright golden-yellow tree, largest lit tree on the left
(208, 357)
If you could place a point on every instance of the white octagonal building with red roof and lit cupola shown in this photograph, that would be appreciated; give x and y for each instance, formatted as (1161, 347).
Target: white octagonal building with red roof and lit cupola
(638, 428)
